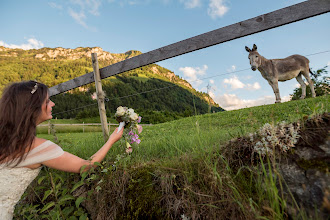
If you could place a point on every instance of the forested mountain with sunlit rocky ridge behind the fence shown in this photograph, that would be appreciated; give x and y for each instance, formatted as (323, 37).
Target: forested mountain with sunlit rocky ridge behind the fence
(56, 65)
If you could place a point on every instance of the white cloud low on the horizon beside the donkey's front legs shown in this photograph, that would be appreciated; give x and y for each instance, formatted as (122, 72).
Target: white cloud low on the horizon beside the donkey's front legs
(232, 102)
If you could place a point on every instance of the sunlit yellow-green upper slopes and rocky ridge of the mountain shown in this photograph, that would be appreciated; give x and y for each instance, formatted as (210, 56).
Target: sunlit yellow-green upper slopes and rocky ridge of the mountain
(62, 60)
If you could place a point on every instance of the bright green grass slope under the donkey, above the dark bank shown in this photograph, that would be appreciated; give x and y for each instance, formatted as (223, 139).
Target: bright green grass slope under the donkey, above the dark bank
(199, 133)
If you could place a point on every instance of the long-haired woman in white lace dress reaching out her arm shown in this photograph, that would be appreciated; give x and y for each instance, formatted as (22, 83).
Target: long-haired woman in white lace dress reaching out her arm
(23, 106)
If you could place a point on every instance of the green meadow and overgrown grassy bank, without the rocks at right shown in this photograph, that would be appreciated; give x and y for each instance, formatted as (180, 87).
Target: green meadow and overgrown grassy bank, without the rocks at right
(178, 171)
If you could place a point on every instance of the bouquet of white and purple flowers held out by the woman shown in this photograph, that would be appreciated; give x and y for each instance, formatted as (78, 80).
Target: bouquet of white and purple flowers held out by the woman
(128, 119)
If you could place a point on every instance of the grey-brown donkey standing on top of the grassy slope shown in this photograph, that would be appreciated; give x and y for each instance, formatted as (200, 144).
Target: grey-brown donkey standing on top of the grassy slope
(275, 70)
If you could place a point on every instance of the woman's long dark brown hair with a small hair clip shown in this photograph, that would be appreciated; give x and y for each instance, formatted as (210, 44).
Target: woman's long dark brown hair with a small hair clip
(20, 107)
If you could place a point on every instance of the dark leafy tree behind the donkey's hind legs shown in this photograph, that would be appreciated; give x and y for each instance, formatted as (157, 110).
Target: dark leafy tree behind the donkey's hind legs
(321, 85)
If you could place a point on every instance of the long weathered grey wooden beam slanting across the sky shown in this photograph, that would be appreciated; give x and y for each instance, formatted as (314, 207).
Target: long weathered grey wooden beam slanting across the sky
(260, 23)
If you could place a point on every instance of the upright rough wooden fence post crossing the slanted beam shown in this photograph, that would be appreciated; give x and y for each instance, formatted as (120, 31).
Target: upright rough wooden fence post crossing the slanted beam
(100, 97)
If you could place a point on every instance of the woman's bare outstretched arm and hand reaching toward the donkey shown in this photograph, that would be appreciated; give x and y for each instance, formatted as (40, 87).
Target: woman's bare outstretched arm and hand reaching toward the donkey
(71, 163)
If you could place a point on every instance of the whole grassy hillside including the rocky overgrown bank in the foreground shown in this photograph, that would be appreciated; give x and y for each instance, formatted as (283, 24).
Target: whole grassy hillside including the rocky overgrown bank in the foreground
(200, 167)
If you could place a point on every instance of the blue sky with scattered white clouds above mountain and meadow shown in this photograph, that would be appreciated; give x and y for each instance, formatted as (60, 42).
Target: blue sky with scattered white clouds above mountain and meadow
(118, 26)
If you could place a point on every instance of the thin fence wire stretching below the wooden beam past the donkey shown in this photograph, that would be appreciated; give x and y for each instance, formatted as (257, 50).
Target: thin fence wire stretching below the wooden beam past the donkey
(167, 87)
